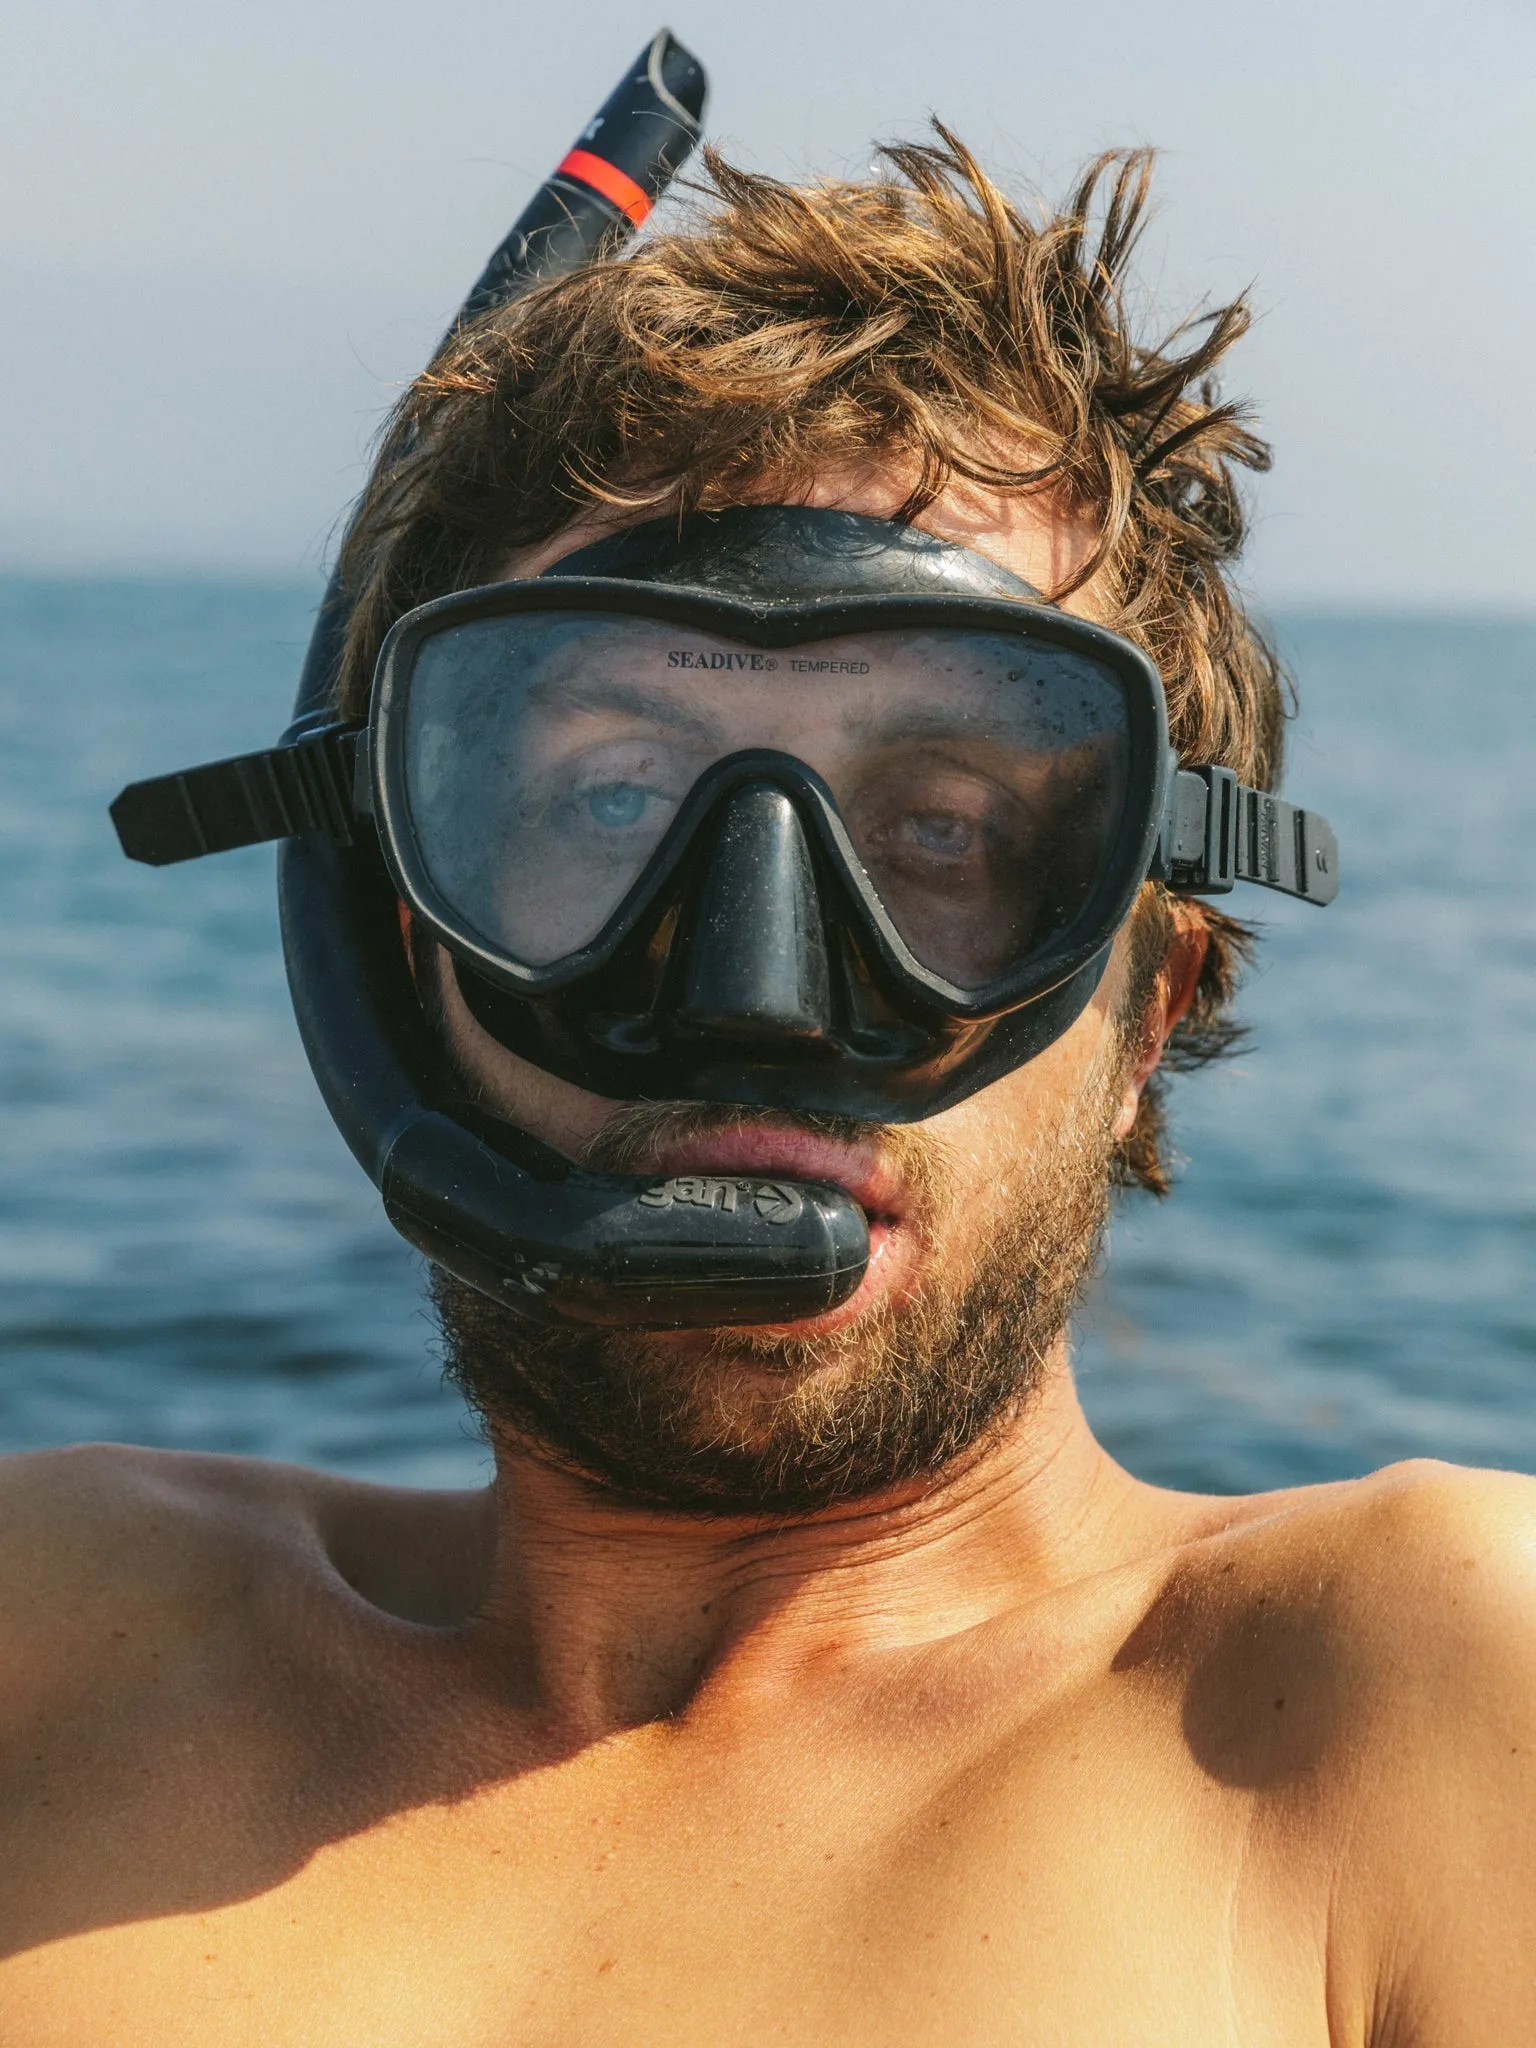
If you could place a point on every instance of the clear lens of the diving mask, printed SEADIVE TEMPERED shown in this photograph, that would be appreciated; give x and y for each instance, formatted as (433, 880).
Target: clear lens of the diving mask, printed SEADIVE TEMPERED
(980, 775)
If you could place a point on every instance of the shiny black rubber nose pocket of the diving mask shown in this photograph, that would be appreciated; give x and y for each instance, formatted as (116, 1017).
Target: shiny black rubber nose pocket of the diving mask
(757, 959)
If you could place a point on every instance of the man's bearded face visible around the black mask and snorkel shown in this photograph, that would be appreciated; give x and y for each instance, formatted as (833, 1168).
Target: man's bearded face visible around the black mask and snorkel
(984, 1222)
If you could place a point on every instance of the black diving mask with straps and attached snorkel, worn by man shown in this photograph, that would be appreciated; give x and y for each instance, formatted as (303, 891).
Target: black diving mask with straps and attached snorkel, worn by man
(755, 955)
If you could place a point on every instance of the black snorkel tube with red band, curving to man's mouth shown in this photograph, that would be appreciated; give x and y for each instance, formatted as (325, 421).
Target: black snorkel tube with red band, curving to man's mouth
(476, 1195)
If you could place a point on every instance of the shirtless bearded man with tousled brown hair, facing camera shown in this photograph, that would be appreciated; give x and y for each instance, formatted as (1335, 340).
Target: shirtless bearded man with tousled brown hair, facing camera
(810, 1680)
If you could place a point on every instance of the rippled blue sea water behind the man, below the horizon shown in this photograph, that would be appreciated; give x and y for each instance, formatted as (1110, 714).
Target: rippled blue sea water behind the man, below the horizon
(187, 1254)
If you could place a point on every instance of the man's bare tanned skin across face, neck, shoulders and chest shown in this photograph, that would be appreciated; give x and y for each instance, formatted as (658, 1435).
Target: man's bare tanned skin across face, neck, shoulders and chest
(1031, 1754)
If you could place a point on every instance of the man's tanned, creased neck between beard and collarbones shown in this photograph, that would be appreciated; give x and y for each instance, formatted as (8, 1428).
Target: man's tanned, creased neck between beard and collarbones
(607, 1615)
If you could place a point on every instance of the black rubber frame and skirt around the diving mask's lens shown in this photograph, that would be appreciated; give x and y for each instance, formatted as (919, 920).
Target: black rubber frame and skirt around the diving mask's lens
(753, 962)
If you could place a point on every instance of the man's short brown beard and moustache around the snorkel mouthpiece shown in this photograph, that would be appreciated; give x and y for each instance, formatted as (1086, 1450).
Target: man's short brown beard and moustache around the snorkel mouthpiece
(761, 1422)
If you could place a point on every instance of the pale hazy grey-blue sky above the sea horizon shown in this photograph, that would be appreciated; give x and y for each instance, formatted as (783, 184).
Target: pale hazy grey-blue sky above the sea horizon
(232, 230)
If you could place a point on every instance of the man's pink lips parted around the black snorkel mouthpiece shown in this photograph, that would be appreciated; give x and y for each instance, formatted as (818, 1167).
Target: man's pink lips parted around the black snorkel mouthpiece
(857, 1170)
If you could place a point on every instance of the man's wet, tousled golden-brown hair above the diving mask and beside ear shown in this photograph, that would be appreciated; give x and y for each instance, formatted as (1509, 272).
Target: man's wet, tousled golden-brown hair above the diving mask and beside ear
(919, 318)
